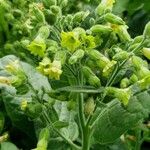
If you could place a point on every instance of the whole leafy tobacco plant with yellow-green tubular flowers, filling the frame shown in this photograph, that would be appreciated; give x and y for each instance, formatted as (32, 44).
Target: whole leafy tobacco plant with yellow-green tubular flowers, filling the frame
(85, 85)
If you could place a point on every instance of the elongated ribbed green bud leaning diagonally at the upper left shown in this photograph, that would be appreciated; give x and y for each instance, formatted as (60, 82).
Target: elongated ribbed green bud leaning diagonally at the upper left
(38, 14)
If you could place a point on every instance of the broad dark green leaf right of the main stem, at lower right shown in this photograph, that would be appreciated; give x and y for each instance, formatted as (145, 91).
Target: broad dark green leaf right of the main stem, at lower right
(116, 119)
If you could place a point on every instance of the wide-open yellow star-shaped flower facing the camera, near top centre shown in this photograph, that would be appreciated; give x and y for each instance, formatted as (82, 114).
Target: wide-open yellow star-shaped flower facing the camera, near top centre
(70, 40)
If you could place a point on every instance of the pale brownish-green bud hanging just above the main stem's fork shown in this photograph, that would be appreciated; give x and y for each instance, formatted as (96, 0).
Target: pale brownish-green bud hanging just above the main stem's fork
(89, 106)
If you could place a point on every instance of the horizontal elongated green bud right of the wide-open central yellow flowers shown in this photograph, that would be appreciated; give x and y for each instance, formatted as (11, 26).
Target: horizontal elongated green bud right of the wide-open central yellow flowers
(100, 29)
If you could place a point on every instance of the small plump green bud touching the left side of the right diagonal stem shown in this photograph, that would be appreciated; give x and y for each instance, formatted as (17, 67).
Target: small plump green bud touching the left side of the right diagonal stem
(121, 56)
